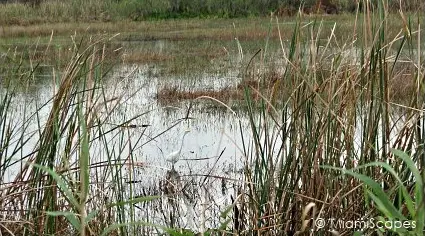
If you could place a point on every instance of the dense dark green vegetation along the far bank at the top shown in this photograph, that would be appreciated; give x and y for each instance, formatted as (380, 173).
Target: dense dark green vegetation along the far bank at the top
(34, 12)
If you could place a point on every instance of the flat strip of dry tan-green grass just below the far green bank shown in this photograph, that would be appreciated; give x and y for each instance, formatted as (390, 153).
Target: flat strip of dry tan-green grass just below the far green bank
(250, 28)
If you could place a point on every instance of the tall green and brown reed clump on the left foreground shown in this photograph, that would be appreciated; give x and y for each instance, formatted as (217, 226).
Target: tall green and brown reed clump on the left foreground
(51, 187)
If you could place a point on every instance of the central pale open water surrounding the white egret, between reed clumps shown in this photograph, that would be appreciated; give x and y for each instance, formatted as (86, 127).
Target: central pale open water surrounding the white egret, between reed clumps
(198, 187)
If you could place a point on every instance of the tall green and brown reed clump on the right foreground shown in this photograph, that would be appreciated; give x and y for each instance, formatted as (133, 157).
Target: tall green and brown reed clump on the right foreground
(342, 116)
